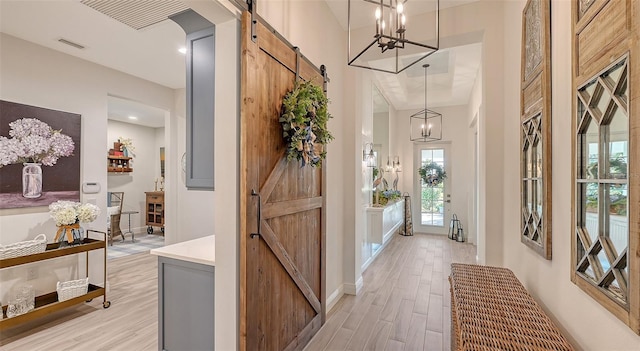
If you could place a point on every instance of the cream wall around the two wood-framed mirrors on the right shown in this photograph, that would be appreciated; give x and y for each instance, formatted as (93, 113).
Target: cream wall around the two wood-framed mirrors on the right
(590, 326)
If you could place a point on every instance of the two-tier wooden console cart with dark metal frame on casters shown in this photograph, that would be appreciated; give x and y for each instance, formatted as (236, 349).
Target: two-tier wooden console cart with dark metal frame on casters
(50, 302)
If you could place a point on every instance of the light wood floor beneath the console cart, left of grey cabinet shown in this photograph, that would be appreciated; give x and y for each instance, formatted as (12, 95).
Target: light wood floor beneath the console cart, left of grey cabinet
(131, 323)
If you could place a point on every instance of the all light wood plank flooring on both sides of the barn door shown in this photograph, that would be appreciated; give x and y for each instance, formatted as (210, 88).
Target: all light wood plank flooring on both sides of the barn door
(404, 305)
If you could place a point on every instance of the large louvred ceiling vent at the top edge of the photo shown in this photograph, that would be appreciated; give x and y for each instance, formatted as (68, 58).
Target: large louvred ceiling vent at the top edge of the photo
(137, 14)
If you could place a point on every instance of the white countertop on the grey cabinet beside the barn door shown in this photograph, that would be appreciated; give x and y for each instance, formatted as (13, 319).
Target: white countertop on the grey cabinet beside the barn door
(202, 250)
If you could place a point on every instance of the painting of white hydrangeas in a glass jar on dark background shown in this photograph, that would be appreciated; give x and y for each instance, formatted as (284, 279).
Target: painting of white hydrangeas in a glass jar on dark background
(39, 155)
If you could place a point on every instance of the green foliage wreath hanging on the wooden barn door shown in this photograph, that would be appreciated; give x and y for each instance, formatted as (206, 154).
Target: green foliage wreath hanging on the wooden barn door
(304, 123)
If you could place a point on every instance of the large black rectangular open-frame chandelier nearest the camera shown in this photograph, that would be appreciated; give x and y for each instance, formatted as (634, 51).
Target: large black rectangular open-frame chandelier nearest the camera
(381, 37)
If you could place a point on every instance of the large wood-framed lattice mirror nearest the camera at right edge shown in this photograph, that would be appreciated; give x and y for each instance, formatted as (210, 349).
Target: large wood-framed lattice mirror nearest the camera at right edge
(606, 172)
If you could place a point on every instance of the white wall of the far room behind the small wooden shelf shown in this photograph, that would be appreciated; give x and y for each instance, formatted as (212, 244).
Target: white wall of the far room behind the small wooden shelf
(146, 168)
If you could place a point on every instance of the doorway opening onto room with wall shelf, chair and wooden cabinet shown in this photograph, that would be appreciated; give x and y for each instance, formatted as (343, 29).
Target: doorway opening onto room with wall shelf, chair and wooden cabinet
(136, 138)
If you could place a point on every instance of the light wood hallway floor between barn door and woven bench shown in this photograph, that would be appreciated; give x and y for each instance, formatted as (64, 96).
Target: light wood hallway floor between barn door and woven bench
(405, 299)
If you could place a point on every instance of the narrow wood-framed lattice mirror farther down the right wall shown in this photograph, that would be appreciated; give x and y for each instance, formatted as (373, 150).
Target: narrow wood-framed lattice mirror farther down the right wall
(535, 131)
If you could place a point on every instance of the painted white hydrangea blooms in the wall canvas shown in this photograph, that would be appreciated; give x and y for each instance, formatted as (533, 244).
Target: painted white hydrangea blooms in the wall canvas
(34, 141)
